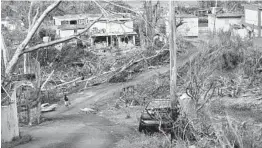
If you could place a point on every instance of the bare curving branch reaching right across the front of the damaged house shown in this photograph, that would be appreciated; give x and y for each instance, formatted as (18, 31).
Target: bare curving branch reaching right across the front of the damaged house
(60, 40)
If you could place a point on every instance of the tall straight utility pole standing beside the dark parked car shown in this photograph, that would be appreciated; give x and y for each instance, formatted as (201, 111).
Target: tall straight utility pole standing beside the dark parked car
(172, 50)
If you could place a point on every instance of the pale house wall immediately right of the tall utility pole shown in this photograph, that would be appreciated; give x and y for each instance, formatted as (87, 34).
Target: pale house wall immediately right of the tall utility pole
(189, 28)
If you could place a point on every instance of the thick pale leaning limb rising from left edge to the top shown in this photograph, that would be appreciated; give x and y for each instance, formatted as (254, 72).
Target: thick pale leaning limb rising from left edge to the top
(29, 36)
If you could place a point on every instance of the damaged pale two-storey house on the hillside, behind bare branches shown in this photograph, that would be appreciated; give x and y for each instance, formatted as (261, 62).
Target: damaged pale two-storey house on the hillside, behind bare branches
(116, 30)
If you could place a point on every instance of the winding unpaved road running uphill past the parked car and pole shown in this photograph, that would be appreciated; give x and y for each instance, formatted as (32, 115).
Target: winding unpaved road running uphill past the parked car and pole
(69, 128)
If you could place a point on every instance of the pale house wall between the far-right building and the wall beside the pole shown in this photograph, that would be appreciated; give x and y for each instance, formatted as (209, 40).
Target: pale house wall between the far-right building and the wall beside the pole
(221, 23)
